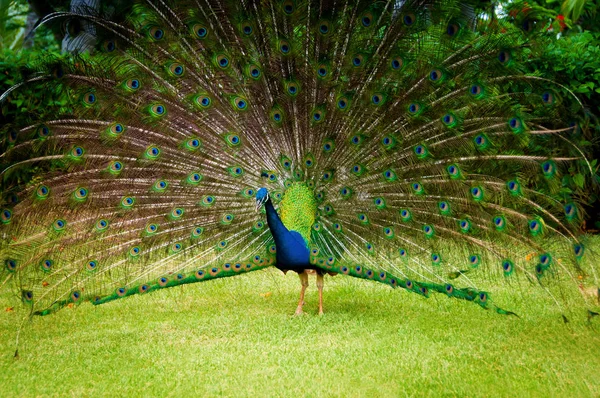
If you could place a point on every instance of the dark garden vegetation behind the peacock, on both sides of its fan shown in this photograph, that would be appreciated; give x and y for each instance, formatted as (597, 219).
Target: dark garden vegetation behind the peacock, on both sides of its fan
(572, 57)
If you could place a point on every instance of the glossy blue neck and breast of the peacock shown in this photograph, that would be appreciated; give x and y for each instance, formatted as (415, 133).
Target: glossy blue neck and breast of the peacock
(292, 252)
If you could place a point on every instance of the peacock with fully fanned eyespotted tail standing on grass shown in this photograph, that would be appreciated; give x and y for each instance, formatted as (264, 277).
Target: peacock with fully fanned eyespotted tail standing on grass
(411, 143)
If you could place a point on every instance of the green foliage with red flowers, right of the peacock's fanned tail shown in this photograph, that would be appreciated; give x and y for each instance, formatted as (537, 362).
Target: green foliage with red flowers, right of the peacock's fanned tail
(570, 58)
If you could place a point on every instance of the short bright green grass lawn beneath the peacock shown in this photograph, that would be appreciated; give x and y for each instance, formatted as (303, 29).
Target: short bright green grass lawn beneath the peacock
(237, 337)
